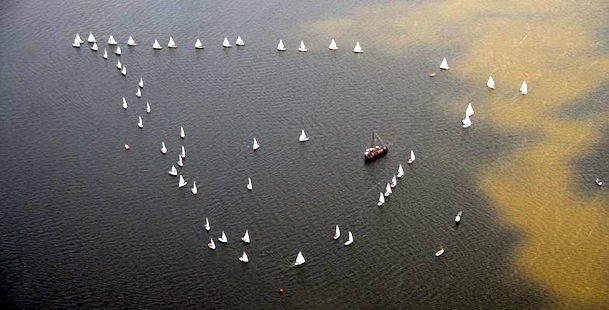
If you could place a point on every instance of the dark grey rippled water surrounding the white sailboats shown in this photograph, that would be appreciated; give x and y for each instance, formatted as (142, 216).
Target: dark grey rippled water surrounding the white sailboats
(87, 224)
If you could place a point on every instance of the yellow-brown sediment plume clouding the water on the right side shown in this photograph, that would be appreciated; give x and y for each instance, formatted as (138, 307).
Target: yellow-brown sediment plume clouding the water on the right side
(556, 44)
